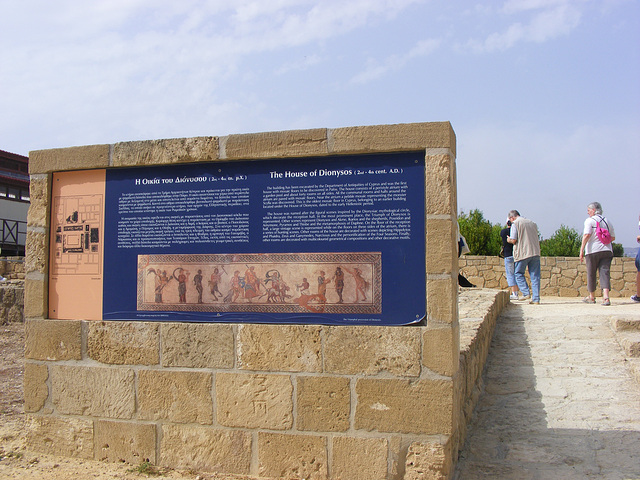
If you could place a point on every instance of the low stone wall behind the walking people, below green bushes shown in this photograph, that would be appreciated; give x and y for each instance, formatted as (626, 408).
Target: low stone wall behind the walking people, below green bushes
(560, 276)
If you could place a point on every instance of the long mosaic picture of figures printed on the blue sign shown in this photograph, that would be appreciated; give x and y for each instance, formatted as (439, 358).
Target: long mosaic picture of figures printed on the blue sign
(276, 282)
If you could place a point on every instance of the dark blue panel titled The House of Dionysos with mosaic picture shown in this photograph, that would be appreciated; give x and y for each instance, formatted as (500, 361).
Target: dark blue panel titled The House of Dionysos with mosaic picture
(331, 240)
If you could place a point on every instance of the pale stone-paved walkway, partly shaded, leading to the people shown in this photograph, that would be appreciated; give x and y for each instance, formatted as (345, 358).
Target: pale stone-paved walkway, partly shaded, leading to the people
(560, 401)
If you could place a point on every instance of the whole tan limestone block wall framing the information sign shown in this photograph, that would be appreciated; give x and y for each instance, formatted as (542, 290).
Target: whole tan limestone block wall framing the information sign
(291, 401)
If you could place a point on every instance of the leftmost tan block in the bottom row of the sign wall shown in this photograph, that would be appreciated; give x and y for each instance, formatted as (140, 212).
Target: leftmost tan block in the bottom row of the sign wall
(69, 437)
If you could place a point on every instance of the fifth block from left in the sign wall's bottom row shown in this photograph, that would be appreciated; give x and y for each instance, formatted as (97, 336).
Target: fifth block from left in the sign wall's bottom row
(359, 458)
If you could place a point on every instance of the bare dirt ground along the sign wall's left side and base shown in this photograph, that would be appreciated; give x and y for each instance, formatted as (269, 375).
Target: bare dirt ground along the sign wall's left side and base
(17, 462)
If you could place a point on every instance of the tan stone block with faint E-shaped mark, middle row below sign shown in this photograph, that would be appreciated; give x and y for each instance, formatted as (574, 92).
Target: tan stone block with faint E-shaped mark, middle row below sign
(254, 401)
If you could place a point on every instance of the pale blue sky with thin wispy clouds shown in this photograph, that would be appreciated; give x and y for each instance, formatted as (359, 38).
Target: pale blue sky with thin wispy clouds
(544, 95)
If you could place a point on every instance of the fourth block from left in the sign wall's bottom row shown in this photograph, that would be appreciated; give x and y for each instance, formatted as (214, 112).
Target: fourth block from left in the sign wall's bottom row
(292, 456)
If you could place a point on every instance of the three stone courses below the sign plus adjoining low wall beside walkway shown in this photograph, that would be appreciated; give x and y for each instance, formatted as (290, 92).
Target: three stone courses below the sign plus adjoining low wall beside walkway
(277, 401)
